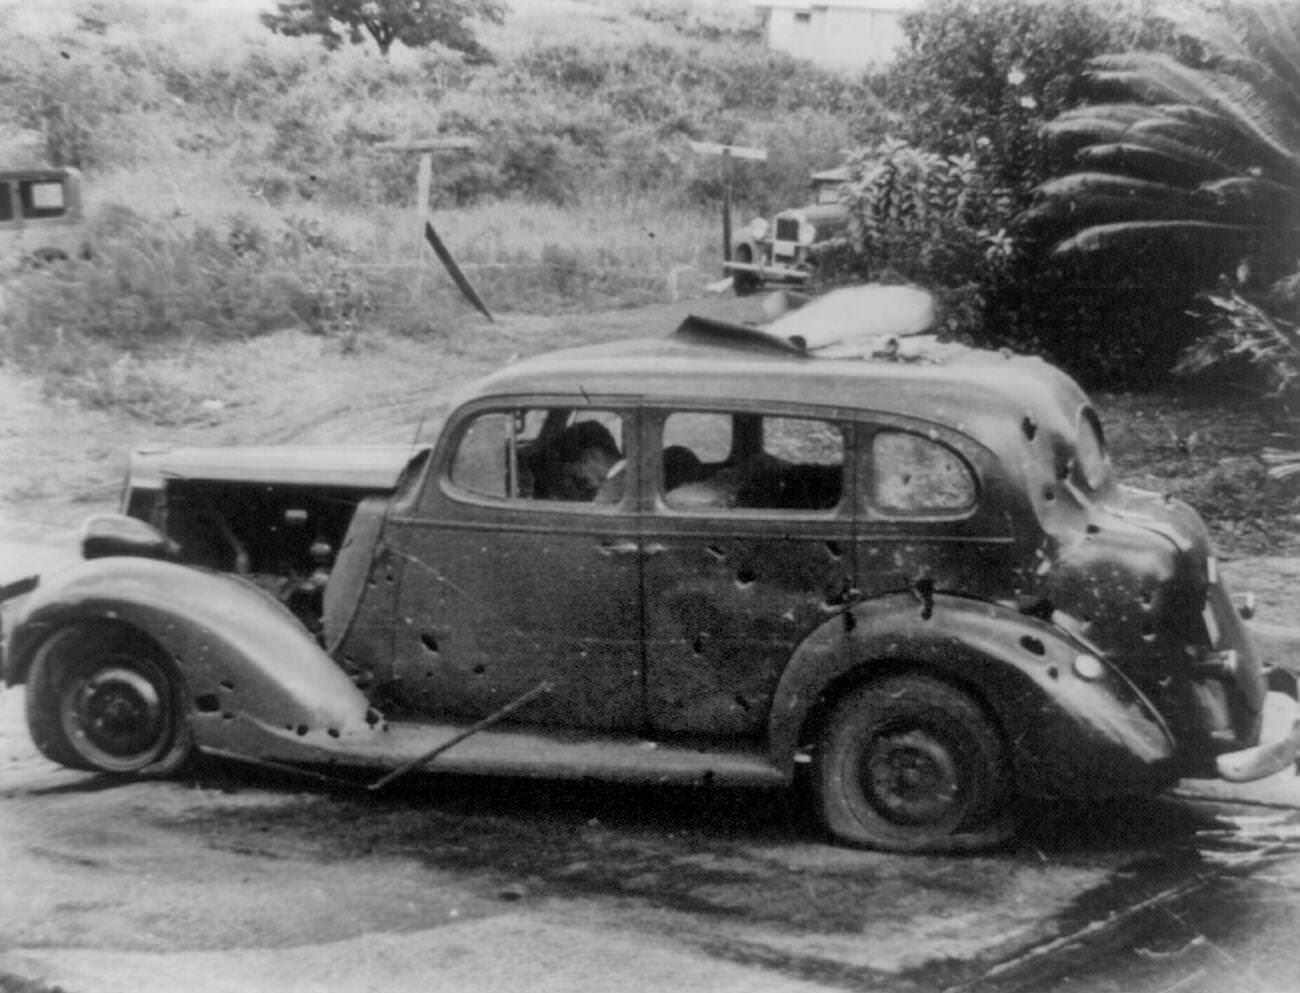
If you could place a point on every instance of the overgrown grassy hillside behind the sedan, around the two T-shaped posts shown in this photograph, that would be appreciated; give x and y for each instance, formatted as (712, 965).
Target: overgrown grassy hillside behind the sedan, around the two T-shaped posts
(237, 181)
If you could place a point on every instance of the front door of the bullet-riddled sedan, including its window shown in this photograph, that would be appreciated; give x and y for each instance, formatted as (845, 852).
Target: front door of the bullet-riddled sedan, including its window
(519, 566)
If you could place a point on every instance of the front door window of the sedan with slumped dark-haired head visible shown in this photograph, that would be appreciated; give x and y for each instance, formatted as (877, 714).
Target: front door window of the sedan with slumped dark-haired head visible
(543, 454)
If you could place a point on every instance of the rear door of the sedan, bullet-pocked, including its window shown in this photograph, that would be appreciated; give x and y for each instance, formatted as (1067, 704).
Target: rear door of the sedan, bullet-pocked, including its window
(748, 548)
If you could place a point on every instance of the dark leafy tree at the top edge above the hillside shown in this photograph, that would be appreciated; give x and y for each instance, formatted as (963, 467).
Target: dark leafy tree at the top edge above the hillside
(413, 23)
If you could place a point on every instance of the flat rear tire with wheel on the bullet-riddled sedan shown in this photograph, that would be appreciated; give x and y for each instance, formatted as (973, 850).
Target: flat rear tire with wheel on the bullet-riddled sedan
(912, 764)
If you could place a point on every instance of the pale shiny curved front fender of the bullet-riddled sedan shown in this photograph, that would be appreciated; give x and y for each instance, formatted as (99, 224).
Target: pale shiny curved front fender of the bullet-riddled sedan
(253, 675)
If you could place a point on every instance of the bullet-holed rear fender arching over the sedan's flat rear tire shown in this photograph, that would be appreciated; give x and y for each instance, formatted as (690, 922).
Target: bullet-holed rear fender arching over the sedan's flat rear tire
(1072, 730)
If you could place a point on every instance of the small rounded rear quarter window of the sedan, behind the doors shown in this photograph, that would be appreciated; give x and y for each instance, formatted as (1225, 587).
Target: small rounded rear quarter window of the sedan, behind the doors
(916, 475)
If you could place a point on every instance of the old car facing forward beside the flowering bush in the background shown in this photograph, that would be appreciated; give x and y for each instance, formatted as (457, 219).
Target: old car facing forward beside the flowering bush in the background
(785, 251)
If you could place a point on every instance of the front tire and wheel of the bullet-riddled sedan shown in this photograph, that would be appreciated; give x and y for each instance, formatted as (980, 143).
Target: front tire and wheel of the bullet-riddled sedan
(105, 699)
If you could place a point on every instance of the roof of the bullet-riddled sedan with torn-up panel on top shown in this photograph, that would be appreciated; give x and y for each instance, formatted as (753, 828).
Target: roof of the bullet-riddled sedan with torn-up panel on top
(716, 363)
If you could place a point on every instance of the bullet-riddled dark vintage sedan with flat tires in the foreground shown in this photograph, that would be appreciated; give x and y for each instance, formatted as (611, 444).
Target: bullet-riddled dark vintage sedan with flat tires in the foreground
(729, 556)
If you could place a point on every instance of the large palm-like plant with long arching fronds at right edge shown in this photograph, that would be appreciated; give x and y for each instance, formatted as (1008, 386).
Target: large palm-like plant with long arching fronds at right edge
(1185, 174)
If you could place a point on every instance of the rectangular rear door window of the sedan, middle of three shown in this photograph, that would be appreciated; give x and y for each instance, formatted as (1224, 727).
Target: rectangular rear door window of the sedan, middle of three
(714, 462)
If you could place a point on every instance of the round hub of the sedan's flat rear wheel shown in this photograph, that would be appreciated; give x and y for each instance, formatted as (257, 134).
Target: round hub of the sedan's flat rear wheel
(913, 778)
